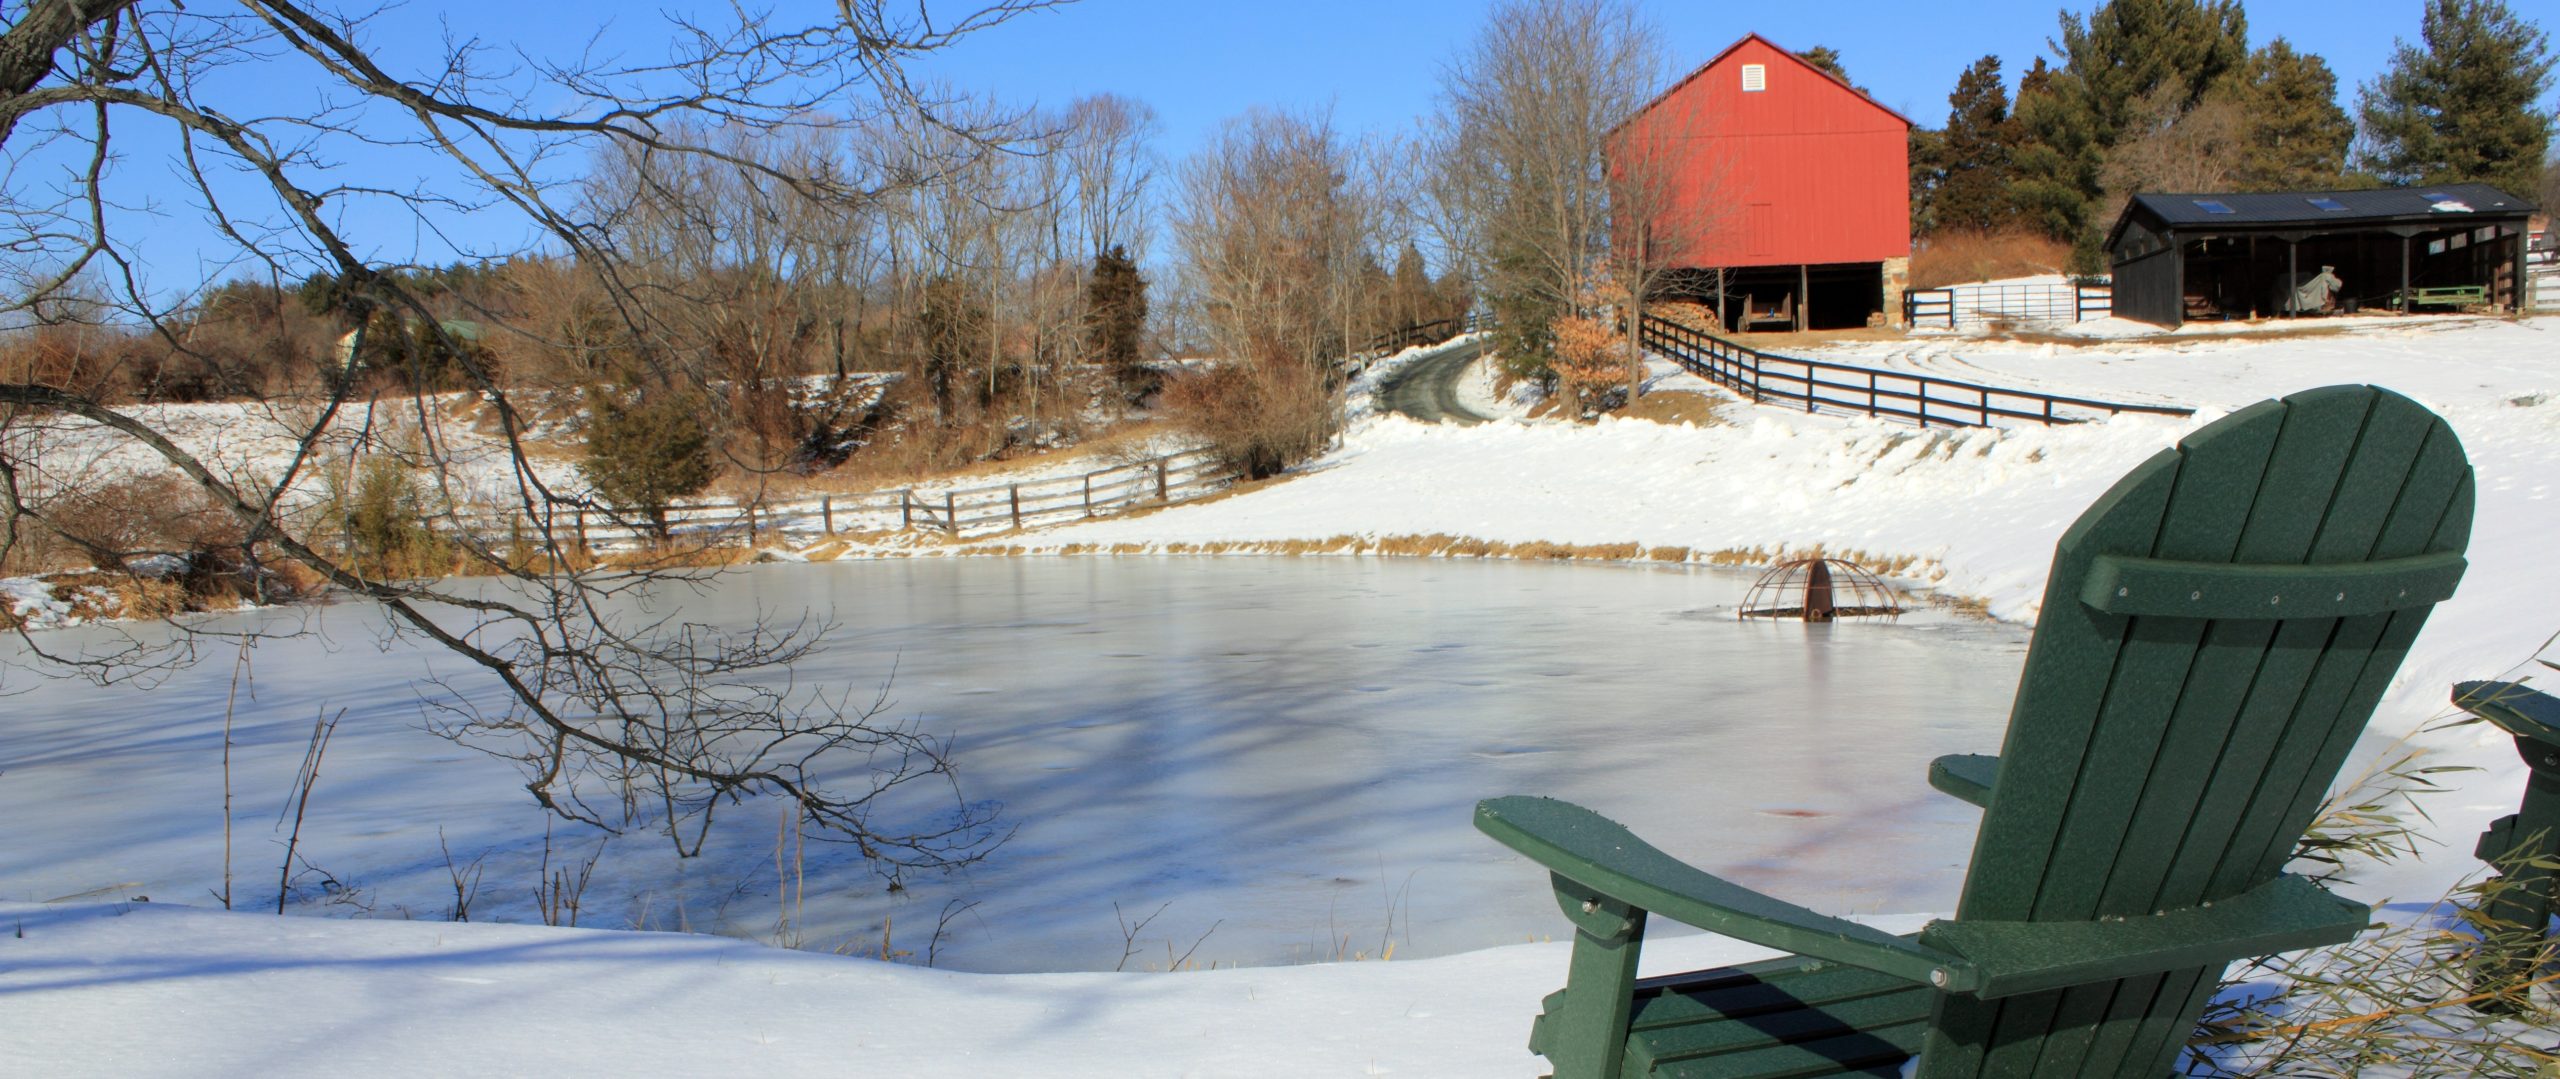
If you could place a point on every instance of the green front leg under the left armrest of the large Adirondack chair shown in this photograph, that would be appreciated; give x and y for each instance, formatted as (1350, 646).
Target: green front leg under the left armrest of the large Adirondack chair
(1586, 1039)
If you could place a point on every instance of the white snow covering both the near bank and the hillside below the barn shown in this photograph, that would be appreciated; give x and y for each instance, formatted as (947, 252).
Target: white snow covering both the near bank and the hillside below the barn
(1975, 514)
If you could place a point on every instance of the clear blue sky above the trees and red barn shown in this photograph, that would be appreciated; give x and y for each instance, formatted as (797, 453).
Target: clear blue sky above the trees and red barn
(1199, 63)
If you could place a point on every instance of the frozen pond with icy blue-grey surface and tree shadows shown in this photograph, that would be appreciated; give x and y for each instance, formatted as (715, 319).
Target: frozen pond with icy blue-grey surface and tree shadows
(1271, 757)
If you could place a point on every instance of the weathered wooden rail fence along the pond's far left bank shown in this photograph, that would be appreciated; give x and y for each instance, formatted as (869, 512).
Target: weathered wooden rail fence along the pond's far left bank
(954, 511)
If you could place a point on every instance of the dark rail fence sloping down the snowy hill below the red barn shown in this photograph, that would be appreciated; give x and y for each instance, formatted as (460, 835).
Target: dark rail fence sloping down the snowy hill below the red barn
(1868, 391)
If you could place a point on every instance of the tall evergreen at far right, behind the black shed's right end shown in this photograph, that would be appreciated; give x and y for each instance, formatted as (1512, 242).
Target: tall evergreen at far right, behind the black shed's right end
(2467, 106)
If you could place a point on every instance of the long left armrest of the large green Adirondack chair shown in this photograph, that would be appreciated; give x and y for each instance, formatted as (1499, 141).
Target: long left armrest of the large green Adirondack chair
(1612, 862)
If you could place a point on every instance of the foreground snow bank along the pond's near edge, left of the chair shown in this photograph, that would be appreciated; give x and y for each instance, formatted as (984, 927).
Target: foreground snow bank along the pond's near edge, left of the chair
(157, 991)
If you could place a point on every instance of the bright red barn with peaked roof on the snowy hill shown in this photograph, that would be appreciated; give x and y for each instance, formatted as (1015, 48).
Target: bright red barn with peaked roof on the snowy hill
(1778, 191)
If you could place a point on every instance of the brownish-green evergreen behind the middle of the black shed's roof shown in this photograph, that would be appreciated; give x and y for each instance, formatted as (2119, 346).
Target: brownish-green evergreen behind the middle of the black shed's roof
(2298, 137)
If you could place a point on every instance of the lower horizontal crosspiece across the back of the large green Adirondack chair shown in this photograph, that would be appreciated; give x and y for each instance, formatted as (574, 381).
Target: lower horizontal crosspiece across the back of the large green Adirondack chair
(2285, 914)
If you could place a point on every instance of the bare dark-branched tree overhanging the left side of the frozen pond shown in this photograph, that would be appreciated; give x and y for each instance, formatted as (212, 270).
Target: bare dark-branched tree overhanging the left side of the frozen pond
(593, 693)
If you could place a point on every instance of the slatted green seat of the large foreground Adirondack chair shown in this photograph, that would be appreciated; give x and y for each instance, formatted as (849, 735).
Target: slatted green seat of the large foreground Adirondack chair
(1775, 1019)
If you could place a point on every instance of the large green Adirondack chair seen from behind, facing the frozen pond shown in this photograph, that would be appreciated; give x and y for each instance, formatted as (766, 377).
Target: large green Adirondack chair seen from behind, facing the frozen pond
(2213, 639)
